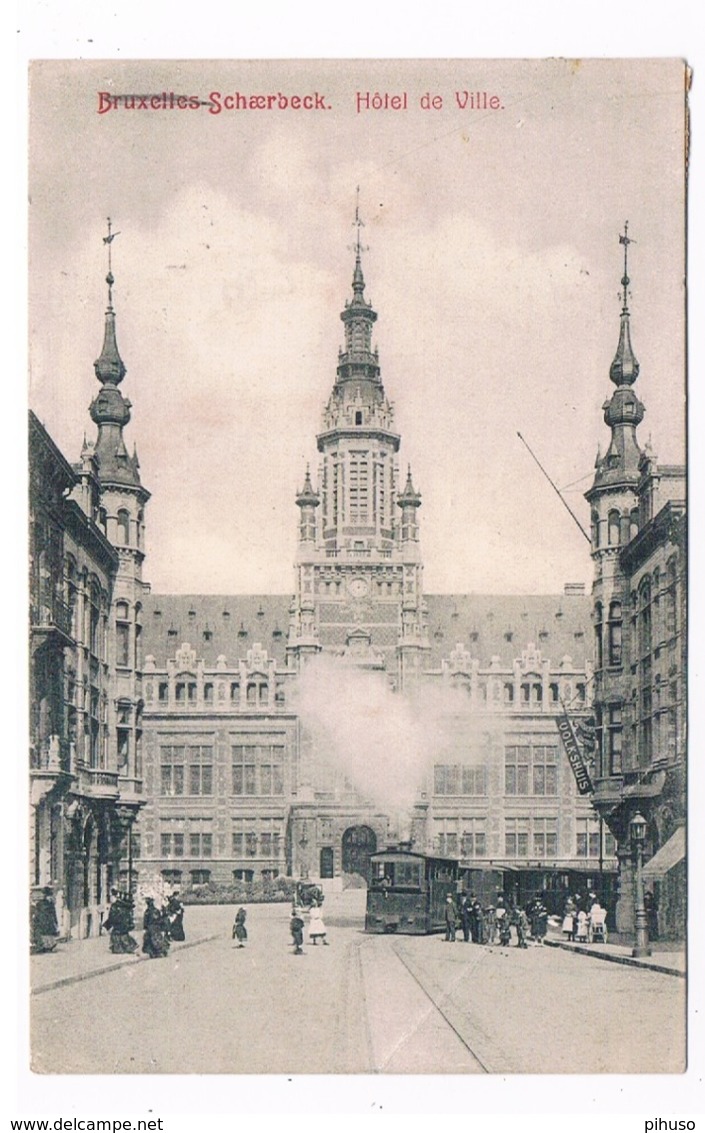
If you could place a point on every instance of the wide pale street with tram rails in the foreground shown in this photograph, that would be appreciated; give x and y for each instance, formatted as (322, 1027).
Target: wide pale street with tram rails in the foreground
(367, 1004)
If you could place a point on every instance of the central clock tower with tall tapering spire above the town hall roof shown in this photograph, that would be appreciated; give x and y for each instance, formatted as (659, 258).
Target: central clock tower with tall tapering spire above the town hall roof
(359, 570)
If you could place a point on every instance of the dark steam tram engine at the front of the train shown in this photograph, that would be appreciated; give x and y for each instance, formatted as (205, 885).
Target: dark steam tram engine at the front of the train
(407, 892)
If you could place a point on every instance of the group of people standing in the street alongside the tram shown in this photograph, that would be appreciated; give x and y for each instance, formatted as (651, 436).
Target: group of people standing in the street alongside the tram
(495, 923)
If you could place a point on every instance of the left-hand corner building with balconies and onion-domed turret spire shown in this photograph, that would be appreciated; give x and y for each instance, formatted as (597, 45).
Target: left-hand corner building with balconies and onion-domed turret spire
(87, 533)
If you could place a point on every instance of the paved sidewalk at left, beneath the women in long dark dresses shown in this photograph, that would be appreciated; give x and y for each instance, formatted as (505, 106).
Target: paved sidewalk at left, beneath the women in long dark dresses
(81, 960)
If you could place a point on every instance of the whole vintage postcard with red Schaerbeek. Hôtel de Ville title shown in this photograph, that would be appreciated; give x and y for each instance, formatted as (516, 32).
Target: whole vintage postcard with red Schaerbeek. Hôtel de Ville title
(359, 567)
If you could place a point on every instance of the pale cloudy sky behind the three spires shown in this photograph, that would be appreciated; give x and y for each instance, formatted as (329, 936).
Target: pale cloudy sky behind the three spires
(492, 261)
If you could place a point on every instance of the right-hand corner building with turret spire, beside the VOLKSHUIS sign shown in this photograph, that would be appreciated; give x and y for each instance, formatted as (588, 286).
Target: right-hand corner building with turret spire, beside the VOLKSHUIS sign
(640, 550)
